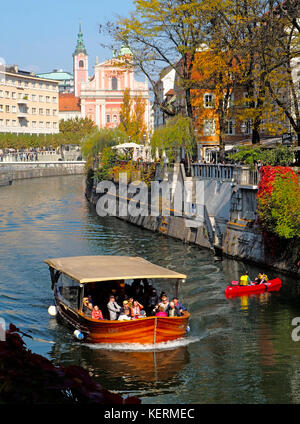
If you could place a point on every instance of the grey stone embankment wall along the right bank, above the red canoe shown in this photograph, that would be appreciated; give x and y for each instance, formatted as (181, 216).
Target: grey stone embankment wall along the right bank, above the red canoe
(227, 223)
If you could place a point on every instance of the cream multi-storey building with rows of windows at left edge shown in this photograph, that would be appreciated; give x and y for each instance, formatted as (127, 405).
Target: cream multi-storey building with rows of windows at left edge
(28, 104)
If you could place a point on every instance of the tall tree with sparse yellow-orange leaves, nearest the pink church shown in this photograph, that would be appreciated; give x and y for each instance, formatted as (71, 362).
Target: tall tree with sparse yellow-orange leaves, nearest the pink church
(164, 33)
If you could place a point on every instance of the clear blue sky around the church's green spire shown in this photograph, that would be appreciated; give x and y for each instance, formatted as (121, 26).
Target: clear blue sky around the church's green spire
(41, 35)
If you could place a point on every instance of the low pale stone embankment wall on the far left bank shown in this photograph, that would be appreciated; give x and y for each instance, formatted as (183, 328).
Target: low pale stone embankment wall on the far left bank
(19, 170)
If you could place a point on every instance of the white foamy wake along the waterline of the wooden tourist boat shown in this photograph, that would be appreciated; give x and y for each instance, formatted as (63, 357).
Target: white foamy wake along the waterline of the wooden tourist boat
(133, 347)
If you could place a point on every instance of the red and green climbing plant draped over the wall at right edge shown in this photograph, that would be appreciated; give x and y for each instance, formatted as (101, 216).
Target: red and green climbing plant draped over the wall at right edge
(278, 202)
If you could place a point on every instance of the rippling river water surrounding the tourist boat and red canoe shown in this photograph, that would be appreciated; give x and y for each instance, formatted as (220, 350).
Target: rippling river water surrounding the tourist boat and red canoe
(237, 351)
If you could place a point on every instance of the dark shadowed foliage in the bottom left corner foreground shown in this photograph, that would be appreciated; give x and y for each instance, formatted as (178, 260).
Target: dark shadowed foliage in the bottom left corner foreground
(29, 378)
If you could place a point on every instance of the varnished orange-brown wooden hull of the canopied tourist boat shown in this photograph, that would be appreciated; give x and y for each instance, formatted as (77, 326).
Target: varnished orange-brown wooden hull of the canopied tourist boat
(143, 330)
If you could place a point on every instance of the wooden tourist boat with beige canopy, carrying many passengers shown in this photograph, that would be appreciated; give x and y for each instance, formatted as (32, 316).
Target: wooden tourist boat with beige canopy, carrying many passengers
(74, 278)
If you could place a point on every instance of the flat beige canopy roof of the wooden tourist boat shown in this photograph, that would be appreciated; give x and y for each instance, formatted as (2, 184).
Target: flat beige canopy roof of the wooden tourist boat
(88, 269)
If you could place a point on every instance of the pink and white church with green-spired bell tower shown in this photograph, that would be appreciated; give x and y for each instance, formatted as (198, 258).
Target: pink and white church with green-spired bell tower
(102, 94)
